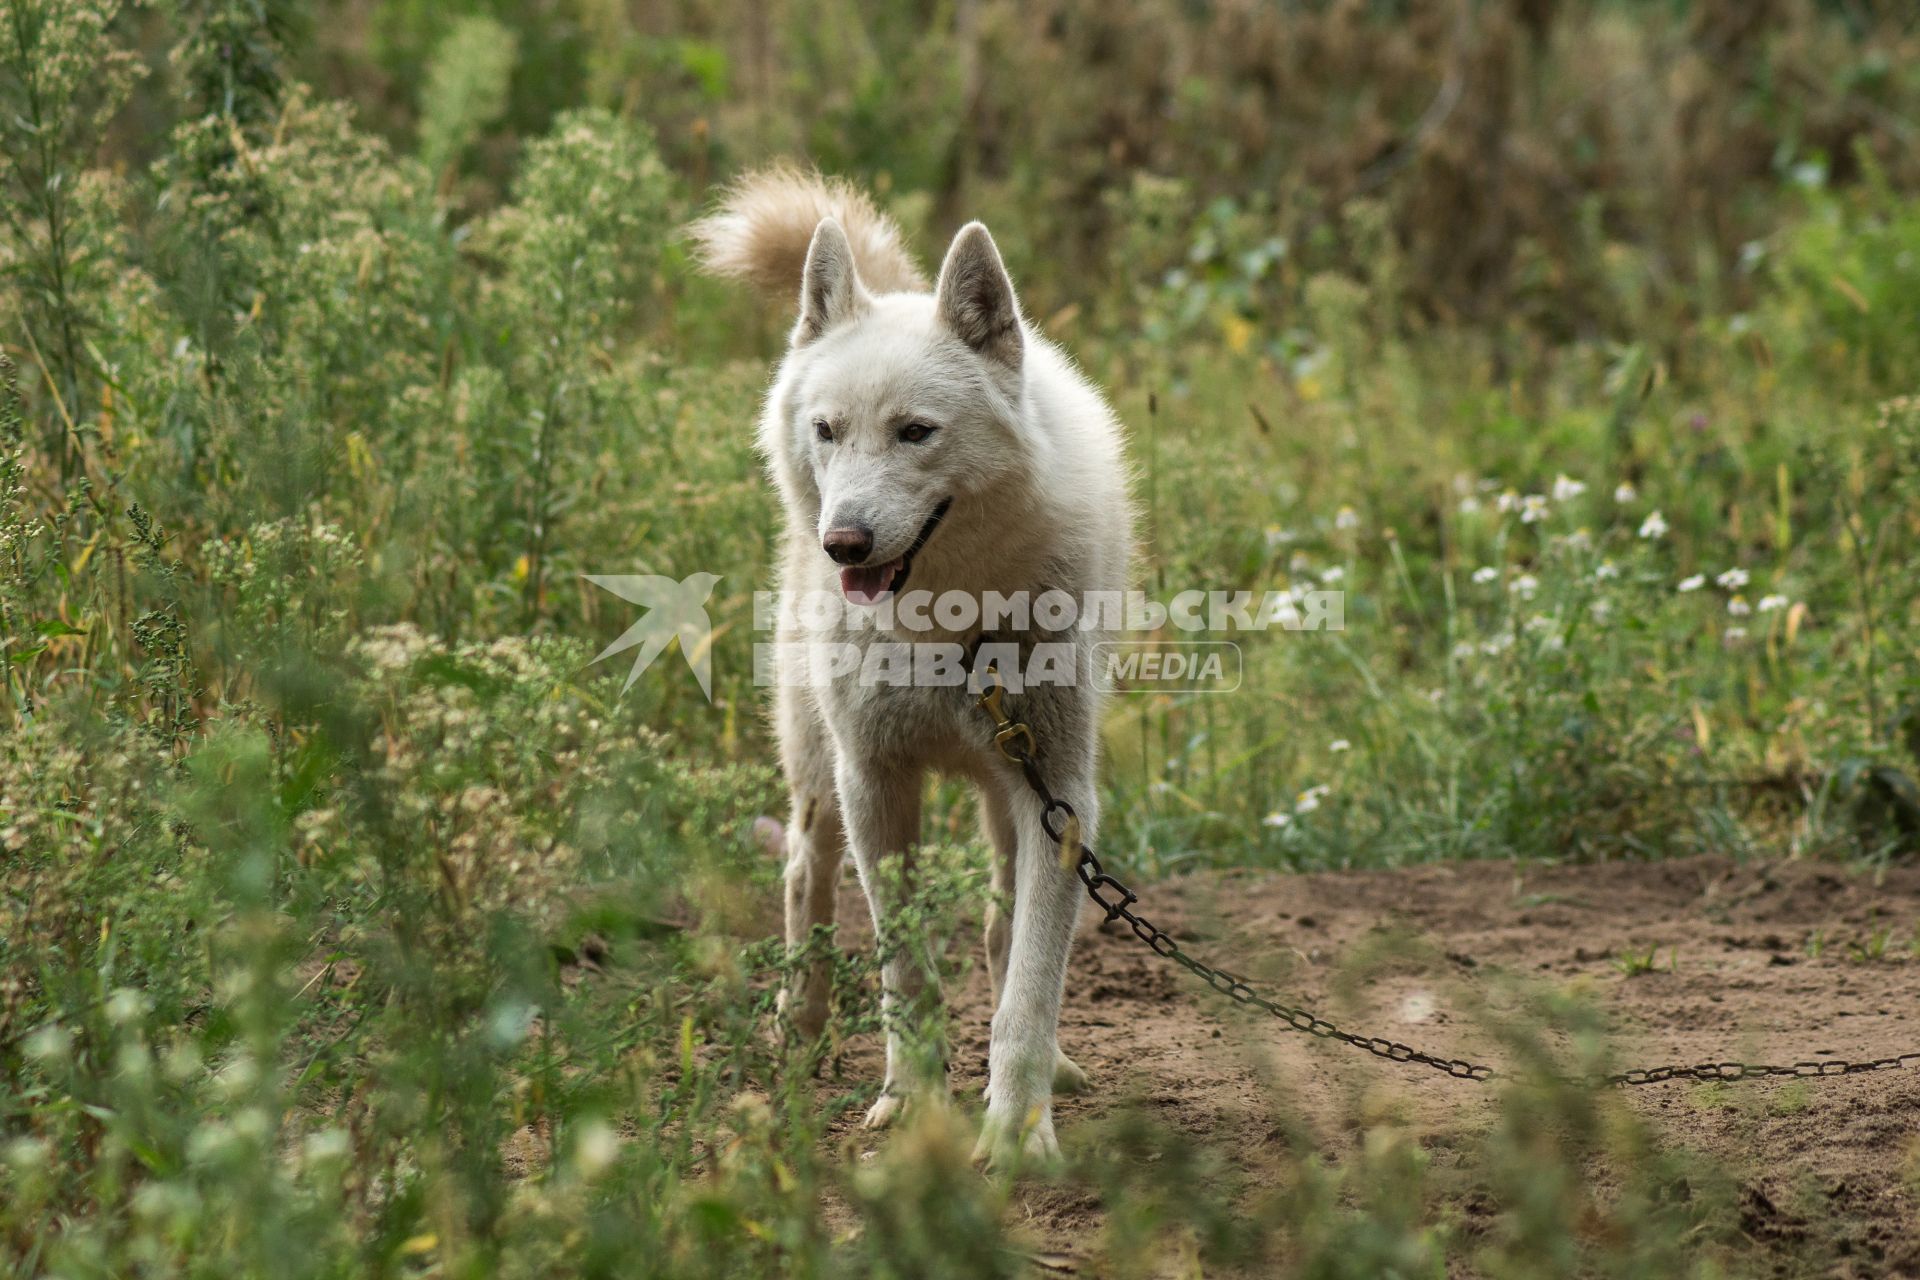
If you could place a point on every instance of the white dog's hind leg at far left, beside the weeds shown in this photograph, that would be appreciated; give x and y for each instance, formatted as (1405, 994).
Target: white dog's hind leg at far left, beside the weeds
(815, 849)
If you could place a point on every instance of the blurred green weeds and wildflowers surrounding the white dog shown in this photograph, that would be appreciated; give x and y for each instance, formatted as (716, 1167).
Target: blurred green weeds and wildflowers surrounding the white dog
(354, 924)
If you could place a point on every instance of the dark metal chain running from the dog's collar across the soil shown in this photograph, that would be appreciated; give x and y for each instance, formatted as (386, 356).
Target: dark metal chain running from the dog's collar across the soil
(1116, 903)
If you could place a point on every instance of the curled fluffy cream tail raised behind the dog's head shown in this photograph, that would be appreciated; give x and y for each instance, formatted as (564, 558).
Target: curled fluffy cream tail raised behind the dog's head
(767, 220)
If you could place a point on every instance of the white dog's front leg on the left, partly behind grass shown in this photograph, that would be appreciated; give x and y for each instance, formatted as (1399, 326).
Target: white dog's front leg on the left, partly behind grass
(882, 815)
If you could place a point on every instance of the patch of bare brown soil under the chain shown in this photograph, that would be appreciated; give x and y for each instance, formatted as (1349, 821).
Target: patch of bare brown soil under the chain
(1769, 962)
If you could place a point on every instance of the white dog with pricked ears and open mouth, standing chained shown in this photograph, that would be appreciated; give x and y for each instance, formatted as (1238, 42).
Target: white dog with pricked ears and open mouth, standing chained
(934, 435)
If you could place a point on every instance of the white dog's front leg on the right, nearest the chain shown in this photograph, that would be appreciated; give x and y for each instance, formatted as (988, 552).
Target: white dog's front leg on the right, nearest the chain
(1026, 1026)
